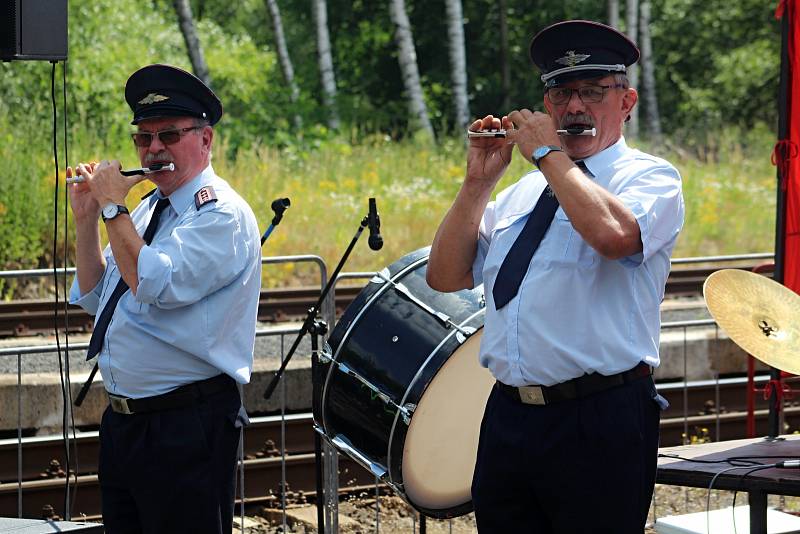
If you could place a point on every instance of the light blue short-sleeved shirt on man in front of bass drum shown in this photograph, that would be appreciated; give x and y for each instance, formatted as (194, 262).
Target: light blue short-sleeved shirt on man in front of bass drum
(577, 312)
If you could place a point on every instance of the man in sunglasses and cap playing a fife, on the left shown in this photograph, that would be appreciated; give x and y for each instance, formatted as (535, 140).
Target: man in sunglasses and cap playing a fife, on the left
(175, 295)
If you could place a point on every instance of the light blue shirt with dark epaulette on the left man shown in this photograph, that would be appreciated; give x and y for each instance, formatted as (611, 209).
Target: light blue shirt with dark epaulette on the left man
(194, 312)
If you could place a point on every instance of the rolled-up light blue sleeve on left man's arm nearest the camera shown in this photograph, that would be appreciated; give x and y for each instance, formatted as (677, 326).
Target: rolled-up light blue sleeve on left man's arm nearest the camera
(200, 256)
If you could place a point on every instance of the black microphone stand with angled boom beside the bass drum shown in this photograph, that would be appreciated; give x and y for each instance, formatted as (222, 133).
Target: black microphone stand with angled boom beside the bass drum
(316, 327)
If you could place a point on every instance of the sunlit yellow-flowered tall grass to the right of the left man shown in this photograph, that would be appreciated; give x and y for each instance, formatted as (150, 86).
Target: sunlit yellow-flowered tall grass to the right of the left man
(729, 190)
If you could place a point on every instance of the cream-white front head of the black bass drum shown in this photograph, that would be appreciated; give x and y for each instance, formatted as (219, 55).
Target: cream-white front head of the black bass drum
(442, 439)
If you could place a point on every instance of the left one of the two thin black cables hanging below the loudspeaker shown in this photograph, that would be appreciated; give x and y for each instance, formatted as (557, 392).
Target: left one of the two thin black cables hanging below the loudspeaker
(65, 407)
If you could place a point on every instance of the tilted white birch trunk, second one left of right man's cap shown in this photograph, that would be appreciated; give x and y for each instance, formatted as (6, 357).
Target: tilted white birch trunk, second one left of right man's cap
(407, 58)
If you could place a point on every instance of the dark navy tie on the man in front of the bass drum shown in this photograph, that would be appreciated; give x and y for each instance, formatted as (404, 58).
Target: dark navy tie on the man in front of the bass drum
(515, 265)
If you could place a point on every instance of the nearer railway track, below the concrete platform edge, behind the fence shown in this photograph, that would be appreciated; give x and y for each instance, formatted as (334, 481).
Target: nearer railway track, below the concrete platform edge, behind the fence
(692, 413)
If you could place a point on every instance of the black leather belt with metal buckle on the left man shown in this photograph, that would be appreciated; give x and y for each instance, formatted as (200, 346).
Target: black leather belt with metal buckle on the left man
(177, 398)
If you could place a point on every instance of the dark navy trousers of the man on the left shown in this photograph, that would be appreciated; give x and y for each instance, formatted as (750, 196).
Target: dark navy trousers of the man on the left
(171, 471)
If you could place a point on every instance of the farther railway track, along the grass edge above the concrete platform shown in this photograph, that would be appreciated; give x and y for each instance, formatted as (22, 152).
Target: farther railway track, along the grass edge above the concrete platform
(27, 317)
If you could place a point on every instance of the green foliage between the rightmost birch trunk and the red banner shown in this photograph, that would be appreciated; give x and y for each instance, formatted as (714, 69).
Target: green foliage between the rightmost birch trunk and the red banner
(717, 62)
